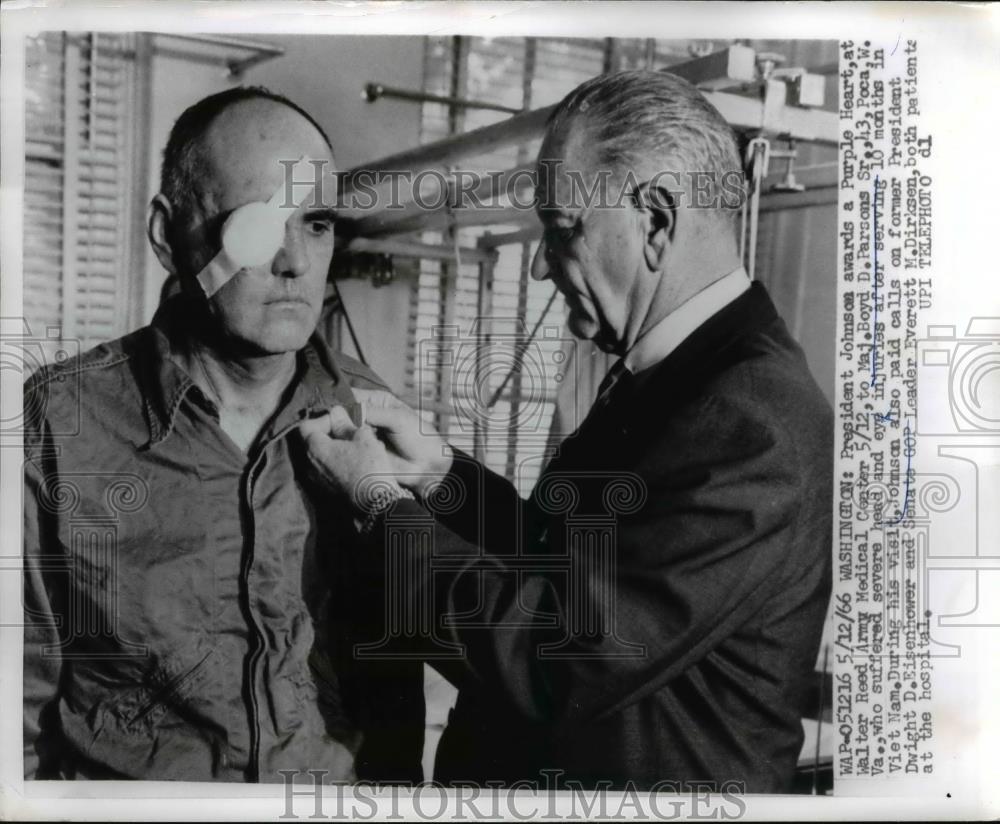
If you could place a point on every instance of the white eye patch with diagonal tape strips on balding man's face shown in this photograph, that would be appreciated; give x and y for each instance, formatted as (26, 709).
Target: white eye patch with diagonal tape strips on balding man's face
(253, 233)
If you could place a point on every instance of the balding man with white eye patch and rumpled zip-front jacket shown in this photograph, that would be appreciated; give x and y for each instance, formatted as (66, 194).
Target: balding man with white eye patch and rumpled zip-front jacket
(186, 596)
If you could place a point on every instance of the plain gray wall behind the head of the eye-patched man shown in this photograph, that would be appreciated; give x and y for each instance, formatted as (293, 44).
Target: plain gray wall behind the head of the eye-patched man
(324, 75)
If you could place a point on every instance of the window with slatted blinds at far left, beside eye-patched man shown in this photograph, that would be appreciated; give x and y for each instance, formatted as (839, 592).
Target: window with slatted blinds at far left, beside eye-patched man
(82, 162)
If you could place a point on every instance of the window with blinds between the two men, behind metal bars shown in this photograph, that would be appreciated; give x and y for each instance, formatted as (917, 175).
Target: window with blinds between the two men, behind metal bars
(503, 71)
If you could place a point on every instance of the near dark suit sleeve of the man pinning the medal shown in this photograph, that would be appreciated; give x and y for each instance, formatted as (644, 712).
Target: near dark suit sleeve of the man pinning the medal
(701, 556)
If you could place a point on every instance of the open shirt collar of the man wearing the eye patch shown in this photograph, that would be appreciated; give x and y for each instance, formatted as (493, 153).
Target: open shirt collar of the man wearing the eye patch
(164, 384)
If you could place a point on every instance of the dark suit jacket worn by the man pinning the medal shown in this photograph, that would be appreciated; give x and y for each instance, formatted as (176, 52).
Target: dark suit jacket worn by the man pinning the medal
(653, 611)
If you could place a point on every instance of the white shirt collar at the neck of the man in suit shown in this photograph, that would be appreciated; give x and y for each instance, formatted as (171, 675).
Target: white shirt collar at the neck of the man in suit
(663, 338)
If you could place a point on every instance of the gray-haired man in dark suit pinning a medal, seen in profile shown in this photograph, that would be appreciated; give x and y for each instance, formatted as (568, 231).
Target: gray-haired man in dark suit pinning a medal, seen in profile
(676, 645)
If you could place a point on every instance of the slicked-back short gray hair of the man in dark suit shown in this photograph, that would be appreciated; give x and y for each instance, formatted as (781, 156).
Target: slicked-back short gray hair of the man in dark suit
(641, 116)
